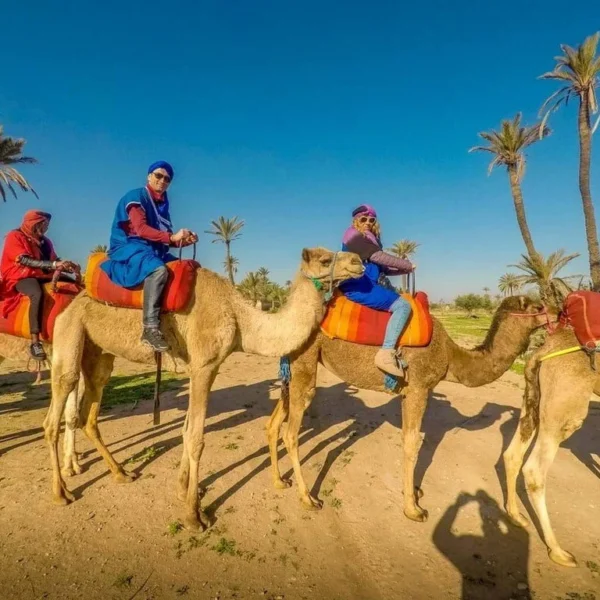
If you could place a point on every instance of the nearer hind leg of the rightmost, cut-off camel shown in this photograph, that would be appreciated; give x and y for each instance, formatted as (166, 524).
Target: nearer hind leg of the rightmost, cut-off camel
(536, 470)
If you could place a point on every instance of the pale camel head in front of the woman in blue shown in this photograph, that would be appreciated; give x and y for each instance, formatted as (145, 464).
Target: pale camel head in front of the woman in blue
(328, 269)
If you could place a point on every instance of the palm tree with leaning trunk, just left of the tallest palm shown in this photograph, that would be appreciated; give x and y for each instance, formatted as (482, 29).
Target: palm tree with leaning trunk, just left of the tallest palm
(507, 146)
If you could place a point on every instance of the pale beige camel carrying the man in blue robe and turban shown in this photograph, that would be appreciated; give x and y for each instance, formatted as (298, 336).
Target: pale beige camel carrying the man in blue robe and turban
(217, 322)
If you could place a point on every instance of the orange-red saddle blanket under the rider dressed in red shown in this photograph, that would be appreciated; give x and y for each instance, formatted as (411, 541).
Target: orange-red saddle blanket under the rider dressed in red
(17, 322)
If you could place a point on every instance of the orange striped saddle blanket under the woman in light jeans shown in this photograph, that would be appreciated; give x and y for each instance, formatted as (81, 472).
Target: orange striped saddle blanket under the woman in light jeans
(347, 320)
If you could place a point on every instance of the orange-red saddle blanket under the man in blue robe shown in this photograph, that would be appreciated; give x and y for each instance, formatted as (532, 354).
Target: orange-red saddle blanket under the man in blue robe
(179, 290)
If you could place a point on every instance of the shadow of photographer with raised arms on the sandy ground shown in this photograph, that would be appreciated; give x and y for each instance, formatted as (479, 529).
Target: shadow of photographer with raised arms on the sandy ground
(492, 565)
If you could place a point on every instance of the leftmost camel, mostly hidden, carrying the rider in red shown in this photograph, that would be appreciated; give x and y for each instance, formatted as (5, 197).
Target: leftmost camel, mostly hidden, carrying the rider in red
(18, 348)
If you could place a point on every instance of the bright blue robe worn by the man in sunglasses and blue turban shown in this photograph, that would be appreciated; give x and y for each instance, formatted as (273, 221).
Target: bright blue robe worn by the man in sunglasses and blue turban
(131, 258)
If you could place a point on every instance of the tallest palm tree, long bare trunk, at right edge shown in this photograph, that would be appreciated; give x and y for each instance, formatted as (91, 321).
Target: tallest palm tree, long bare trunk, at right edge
(578, 70)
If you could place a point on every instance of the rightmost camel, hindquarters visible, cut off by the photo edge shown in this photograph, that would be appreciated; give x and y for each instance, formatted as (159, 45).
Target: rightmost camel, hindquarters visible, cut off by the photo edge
(556, 401)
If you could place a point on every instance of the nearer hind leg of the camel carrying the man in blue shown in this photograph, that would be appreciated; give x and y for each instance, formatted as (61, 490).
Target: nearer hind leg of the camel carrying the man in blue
(65, 375)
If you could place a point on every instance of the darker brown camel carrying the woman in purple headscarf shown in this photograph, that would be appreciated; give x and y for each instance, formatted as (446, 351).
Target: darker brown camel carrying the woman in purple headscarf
(441, 359)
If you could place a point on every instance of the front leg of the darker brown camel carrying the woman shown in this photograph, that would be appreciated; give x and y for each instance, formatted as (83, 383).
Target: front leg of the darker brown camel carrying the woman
(414, 404)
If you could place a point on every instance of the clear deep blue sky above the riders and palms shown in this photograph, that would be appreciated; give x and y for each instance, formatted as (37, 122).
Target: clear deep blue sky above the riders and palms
(289, 114)
